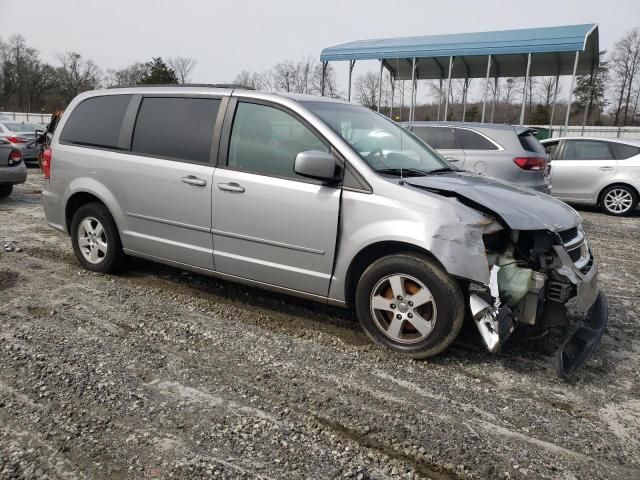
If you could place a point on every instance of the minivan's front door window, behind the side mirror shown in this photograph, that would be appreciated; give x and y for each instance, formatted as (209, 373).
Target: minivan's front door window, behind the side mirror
(266, 140)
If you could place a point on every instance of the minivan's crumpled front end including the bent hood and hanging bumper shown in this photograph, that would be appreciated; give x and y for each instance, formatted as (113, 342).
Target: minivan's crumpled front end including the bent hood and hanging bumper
(541, 271)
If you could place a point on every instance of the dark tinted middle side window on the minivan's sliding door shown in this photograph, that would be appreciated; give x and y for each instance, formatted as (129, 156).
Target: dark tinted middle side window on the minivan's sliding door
(176, 128)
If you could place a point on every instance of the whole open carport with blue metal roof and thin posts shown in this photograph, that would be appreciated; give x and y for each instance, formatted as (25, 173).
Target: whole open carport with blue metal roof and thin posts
(564, 50)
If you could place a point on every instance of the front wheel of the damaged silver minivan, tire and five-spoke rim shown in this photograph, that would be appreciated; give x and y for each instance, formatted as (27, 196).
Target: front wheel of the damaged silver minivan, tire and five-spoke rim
(410, 305)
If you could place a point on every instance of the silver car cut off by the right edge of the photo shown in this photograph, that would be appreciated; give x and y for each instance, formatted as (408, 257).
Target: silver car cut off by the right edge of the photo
(604, 172)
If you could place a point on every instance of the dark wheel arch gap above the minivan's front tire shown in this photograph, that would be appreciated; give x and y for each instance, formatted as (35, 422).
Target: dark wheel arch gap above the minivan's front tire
(376, 251)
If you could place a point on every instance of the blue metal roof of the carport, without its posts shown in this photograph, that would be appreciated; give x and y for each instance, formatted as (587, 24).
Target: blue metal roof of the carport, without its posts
(552, 49)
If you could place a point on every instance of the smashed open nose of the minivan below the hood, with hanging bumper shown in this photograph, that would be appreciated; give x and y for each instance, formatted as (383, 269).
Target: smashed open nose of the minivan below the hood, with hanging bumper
(534, 275)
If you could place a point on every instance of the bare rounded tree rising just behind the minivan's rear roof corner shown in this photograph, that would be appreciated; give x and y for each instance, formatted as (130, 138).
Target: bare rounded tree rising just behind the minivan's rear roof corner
(76, 75)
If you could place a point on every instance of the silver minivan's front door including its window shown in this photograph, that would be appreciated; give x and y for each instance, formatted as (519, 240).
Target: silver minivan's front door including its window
(270, 224)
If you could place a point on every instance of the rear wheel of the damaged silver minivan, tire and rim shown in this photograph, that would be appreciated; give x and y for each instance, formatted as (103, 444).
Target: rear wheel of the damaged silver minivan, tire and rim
(95, 239)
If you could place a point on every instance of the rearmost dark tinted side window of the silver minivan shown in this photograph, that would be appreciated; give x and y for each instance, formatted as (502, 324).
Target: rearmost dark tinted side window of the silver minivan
(97, 122)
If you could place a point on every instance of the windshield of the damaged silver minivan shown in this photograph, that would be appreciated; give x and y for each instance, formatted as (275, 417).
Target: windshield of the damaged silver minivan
(387, 147)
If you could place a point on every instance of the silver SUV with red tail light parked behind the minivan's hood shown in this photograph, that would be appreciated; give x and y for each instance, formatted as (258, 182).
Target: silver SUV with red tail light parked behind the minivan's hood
(506, 152)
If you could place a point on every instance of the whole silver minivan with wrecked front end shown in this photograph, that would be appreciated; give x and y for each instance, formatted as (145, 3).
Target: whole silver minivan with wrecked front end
(324, 200)
